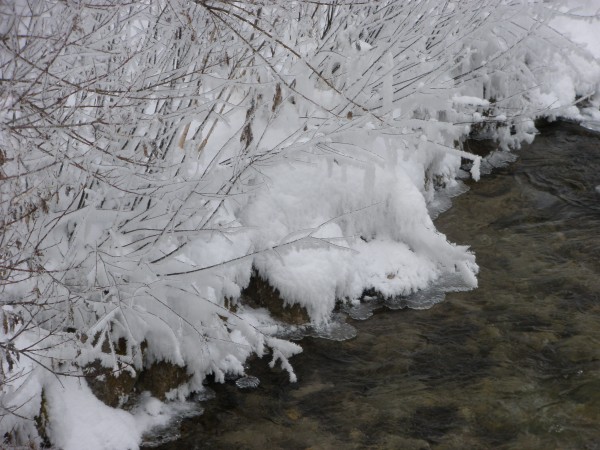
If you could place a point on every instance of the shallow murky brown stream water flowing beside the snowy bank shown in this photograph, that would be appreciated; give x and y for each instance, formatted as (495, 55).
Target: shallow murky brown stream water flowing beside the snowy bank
(514, 364)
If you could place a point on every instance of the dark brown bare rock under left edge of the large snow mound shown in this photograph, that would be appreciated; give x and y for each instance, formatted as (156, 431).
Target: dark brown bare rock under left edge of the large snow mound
(260, 294)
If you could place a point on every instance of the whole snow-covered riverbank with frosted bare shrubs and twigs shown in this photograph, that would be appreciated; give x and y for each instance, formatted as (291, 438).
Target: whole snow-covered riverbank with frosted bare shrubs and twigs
(156, 156)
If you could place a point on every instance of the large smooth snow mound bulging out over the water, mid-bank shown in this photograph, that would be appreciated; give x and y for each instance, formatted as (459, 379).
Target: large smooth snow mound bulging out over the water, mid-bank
(353, 236)
